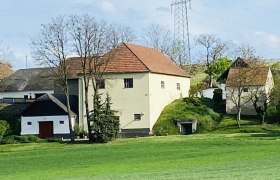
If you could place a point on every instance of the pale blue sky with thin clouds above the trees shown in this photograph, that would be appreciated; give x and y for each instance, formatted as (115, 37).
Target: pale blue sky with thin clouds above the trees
(255, 22)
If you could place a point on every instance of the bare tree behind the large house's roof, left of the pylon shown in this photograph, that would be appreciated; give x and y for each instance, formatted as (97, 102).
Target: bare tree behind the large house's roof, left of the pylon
(161, 38)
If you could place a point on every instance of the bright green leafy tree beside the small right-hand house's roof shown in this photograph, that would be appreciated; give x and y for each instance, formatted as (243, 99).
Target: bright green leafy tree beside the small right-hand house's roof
(219, 67)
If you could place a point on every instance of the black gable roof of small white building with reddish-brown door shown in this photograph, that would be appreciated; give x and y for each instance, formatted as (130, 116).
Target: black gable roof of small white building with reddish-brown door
(52, 105)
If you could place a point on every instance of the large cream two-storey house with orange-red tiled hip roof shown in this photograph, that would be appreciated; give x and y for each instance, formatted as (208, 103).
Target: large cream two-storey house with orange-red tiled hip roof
(141, 81)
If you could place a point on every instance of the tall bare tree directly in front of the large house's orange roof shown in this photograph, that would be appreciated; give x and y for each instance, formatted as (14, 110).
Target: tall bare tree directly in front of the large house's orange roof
(92, 41)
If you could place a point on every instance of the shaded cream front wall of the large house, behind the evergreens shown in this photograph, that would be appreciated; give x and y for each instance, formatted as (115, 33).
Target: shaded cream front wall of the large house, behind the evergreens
(127, 101)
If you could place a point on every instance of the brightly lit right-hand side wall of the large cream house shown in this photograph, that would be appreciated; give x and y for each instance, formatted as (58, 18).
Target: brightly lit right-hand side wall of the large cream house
(160, 97)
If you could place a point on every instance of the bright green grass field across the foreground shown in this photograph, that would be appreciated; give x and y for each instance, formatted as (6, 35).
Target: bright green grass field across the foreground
(200, 156)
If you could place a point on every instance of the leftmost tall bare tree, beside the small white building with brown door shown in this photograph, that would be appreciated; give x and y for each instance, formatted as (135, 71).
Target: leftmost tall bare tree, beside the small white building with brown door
(51, 47)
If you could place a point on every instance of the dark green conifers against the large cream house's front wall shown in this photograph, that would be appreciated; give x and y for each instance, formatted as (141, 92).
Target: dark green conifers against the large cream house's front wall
(105, 125)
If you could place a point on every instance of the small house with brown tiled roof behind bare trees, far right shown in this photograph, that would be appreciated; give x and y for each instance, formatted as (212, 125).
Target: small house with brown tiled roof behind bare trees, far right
(247, 81)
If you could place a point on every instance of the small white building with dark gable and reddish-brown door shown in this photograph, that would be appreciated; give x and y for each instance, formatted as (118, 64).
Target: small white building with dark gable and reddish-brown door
(47, 117)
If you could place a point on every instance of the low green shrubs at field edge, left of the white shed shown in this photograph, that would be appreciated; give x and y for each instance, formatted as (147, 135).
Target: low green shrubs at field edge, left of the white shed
(12, 139)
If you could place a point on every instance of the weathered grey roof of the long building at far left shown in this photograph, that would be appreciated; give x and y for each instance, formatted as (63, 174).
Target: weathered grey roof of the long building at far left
(35, 79)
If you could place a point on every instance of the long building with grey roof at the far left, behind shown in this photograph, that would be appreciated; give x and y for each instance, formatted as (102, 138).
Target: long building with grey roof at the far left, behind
(27, 84)
